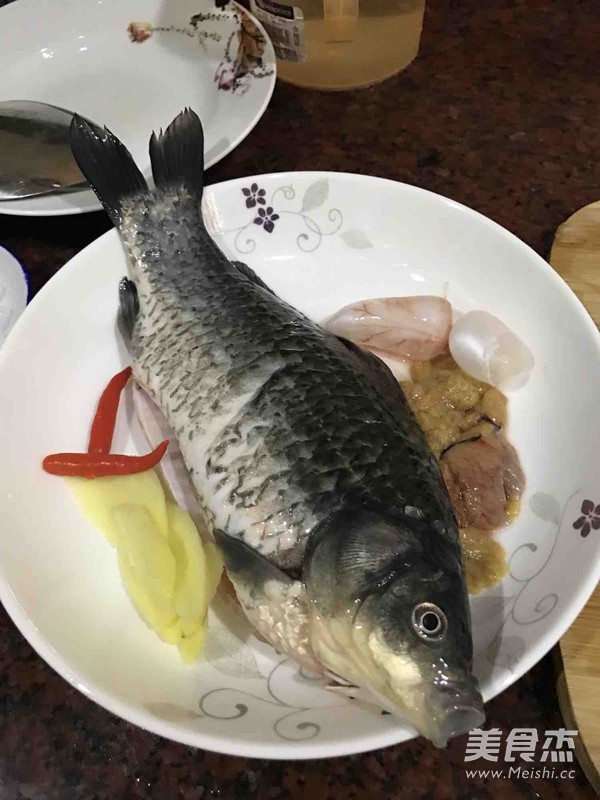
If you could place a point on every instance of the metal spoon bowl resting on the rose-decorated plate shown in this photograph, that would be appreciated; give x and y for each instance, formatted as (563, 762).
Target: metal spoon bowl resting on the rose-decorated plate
(35, 155)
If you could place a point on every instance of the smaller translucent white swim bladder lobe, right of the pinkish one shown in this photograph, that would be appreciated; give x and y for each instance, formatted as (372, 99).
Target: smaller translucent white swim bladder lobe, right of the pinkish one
(486, 349)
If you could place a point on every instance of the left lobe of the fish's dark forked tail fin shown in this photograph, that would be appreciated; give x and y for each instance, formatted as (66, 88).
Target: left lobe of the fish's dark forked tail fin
(107, 164)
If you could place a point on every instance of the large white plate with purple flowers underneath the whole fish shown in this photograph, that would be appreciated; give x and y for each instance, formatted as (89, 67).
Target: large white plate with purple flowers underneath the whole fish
(337, 238)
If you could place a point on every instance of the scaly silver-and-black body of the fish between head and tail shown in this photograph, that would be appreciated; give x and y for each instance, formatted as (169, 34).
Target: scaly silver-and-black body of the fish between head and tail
(326, 433)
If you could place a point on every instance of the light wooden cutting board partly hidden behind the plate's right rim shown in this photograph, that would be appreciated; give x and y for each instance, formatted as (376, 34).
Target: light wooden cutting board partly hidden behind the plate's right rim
(576, 257)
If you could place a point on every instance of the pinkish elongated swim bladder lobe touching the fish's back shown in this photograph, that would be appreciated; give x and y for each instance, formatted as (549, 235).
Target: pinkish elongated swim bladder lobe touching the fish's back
(400, 327)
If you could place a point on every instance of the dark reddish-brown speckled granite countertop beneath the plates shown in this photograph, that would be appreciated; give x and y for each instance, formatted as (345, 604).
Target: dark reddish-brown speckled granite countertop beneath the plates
(500, 112)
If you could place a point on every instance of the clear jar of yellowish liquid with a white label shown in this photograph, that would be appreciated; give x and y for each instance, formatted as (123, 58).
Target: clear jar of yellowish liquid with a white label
(341, 44)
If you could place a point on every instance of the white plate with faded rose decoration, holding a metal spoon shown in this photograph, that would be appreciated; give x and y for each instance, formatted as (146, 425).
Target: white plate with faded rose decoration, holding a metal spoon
(77, 54)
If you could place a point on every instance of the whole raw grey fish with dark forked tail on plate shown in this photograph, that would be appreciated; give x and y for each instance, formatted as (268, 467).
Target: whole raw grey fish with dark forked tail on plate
(317, 482)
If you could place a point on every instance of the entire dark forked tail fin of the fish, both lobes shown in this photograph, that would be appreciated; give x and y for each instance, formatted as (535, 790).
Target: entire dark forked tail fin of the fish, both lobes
(177, 158)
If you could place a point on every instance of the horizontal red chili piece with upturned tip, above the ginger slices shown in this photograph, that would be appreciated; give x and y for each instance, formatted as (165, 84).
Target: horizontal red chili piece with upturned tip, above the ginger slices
(98, 465)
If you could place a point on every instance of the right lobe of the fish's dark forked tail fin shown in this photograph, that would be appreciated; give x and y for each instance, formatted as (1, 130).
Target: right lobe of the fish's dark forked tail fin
(177, 155)
